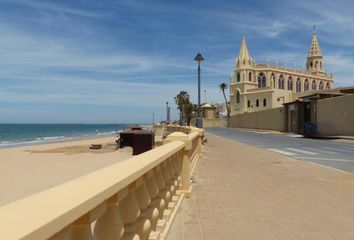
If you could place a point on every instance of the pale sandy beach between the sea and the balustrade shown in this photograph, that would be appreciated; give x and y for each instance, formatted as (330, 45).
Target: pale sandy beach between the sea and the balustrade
(30, 169)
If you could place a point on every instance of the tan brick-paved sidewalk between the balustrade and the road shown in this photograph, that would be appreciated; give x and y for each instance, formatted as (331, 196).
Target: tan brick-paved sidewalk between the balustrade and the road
(241, 192)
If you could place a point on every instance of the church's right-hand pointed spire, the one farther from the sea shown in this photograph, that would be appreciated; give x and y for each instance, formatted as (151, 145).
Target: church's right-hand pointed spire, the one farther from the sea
(314, 62)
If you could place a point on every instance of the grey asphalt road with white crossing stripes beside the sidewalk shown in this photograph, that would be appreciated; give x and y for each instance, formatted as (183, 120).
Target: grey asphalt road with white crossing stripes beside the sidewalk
(332, 153)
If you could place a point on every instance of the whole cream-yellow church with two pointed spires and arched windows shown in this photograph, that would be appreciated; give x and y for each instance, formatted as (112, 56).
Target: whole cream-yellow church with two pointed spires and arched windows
(257, 87)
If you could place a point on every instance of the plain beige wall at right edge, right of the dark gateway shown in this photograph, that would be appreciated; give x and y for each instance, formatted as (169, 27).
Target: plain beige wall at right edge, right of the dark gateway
(335, 116)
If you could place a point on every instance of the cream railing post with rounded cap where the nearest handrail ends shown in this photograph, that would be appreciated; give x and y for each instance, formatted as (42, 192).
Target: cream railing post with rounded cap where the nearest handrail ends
(186, 187)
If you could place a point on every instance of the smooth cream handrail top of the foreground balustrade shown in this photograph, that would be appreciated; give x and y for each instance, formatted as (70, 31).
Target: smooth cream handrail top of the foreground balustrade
(43, 214)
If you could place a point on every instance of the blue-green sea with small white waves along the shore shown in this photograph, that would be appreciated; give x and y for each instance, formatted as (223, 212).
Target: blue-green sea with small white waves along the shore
(13, 135)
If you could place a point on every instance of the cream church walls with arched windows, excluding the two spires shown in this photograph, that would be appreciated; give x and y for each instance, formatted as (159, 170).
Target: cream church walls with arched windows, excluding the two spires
(248, 87)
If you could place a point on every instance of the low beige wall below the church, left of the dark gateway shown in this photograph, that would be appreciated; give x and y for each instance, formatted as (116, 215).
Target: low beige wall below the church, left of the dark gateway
(272, 119)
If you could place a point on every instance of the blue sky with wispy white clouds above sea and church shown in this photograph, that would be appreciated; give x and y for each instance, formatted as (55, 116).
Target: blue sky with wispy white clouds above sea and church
(89, 61)
